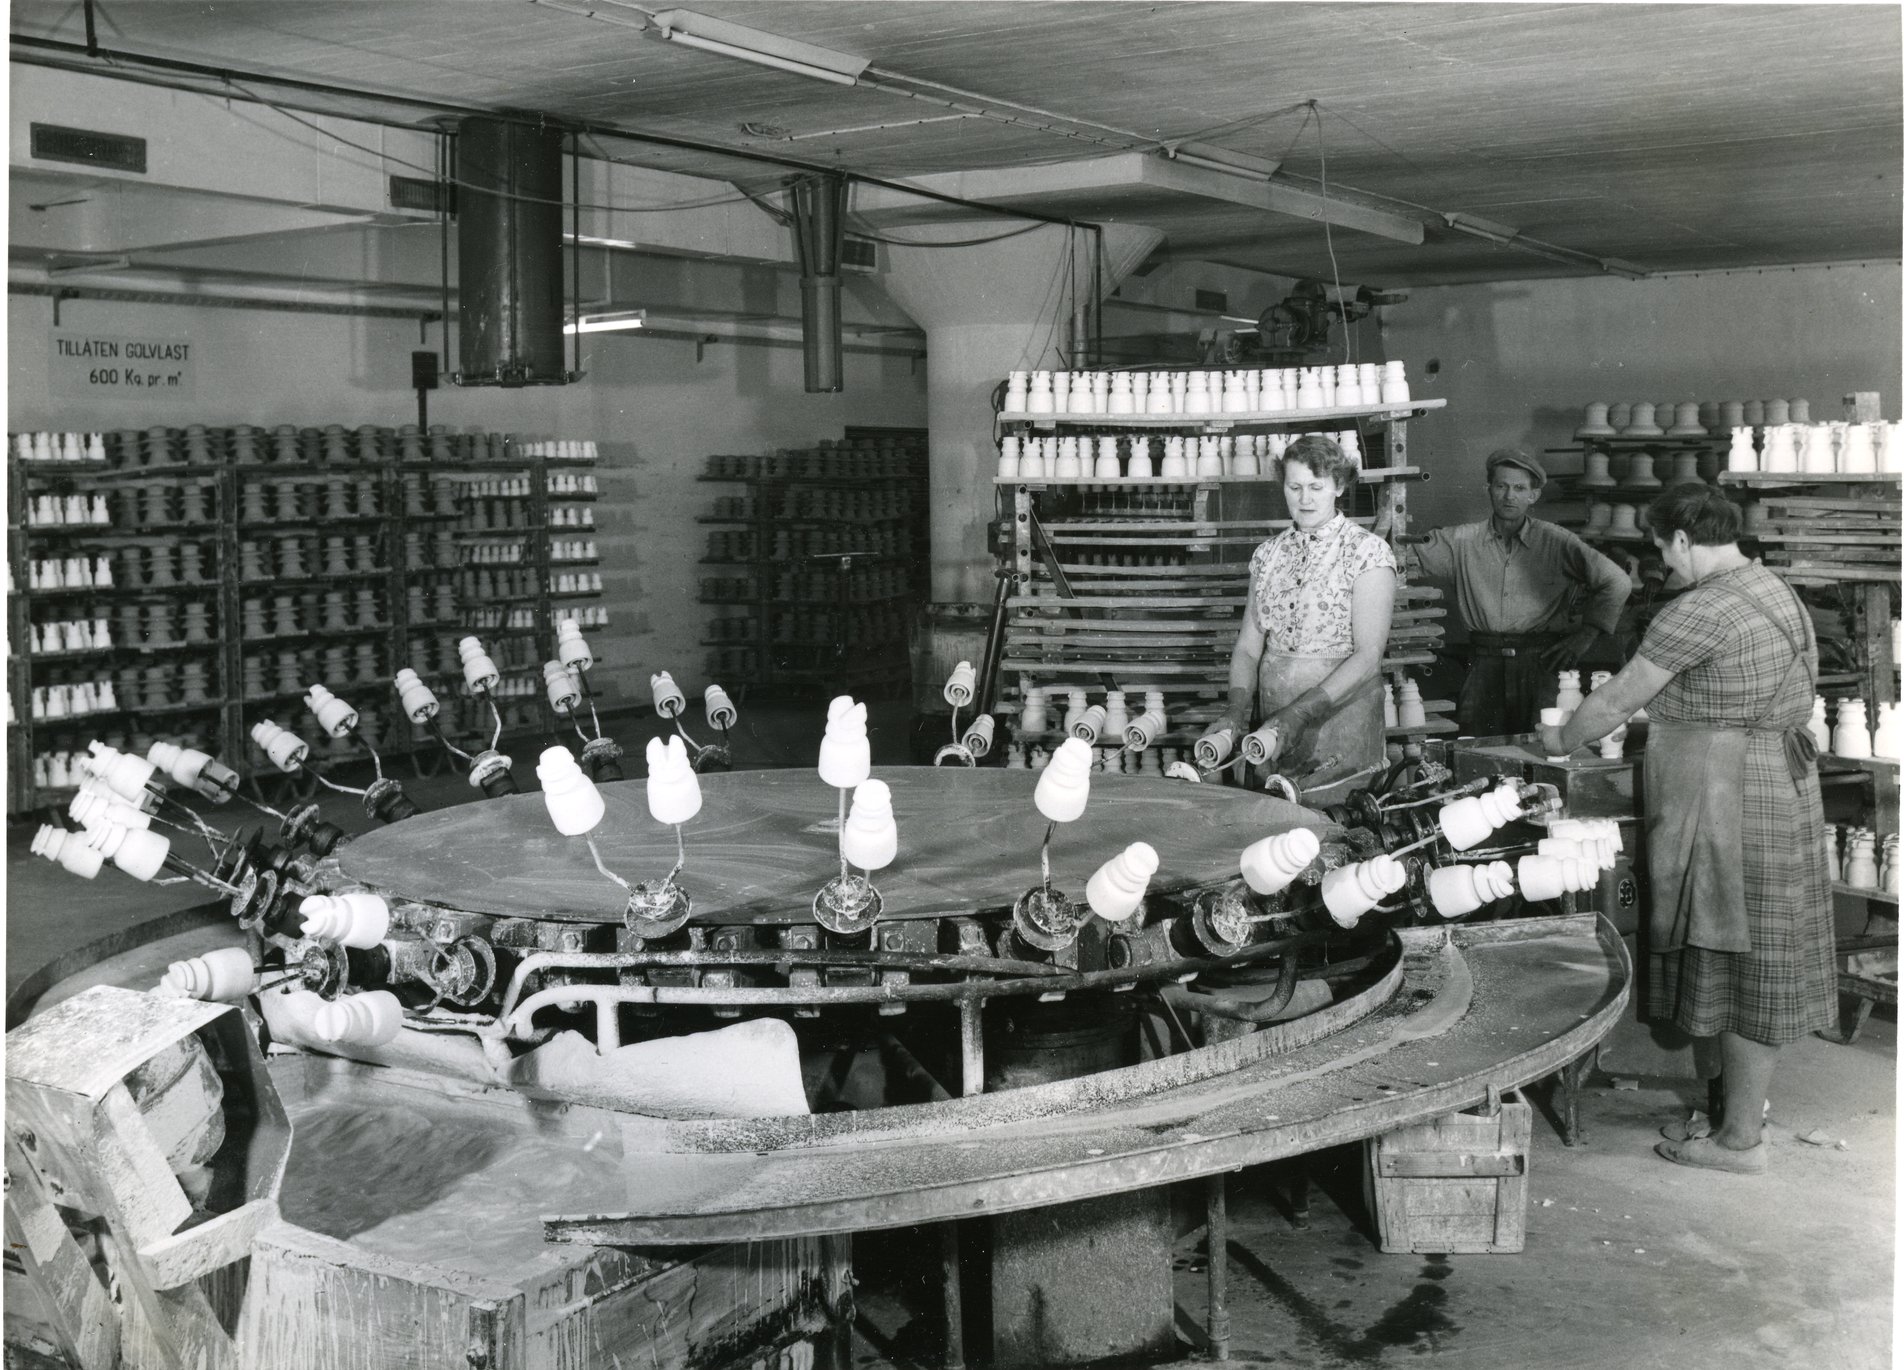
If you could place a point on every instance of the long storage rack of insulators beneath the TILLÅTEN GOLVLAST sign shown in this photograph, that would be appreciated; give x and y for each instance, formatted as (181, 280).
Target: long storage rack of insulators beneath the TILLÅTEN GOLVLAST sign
(393, 505)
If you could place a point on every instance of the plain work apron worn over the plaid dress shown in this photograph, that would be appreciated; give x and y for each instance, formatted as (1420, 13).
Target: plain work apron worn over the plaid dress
(1696, 777)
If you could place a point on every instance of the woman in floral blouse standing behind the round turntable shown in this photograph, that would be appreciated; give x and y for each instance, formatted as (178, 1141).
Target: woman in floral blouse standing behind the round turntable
(1315, 631)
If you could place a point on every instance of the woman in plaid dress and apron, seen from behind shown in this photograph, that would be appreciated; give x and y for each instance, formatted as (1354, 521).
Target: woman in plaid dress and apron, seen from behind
(1741, 926)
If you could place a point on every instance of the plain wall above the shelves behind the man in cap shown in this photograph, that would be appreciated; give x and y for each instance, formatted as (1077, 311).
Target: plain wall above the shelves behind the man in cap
(1520, 361)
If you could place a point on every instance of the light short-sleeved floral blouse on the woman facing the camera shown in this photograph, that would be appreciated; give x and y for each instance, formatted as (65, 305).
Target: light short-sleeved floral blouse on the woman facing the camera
(1301, 587)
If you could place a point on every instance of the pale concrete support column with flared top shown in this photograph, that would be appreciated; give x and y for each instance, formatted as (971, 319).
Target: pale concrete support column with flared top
(987, 311)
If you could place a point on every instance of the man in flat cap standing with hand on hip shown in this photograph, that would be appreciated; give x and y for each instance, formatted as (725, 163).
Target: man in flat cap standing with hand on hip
(1536, 598)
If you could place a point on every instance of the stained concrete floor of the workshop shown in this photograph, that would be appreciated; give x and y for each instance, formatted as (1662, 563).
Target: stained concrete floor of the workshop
(1629, 1262)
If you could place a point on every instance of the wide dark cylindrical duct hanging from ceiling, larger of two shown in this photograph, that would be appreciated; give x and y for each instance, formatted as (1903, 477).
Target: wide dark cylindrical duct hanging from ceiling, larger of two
(509, 254)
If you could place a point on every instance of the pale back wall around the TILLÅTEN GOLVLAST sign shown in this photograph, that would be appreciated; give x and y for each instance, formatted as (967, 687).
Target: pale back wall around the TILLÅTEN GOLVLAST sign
(656, 410)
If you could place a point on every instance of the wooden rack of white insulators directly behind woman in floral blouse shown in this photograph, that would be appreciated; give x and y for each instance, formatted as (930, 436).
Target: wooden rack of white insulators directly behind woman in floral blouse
(1172, 627)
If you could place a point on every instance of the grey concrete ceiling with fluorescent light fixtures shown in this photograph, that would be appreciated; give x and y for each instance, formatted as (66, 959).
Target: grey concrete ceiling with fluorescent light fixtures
(1665, 138)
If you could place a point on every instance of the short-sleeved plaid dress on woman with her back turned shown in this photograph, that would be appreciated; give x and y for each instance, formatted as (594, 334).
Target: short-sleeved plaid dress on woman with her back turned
(1728, 656)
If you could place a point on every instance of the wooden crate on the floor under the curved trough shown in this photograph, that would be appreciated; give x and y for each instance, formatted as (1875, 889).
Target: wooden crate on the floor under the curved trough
(1458, 1184)
